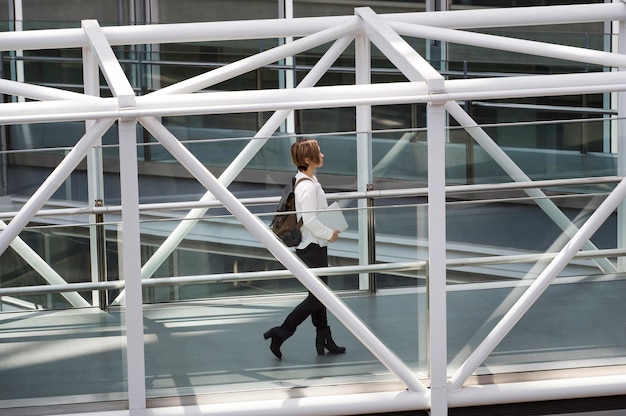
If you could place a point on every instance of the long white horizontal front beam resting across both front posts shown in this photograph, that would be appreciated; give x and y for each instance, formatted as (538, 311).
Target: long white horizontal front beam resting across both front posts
(315, 97)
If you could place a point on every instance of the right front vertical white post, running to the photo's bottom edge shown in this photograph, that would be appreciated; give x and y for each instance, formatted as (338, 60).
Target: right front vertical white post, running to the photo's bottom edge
(437, 259)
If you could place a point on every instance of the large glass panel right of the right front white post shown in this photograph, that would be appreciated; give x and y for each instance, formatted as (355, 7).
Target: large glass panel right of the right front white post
(501, 241)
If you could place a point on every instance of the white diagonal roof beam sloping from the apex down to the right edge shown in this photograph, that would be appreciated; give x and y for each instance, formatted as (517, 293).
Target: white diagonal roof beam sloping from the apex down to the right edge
(529, 47)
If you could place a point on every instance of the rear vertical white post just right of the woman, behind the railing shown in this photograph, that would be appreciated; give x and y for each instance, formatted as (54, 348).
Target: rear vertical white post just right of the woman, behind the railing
(363, 148)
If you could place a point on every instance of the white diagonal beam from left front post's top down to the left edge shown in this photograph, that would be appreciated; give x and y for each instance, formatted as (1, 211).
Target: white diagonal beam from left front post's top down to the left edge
(52, 183)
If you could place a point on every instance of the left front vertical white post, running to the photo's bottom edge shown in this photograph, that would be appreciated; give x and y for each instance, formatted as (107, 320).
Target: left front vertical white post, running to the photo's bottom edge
(131, 268)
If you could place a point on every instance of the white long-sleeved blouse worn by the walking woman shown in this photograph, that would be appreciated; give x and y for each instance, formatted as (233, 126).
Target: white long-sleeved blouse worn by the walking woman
(310, 197)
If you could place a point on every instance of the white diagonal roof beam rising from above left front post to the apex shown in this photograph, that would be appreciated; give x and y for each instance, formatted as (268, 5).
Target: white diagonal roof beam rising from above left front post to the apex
(349, 26)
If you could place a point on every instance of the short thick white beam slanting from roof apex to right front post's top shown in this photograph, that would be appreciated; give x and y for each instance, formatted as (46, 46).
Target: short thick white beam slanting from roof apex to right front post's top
(400, 53)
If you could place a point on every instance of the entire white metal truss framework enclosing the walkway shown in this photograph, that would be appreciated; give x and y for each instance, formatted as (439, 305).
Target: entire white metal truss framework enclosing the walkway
(424, 84)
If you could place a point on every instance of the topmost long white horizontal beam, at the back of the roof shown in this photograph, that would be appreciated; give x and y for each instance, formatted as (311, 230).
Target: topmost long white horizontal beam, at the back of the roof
(277, 28)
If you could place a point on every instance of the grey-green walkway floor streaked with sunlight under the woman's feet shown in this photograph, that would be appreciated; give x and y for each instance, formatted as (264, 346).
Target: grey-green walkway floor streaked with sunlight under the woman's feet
(214, 347)
